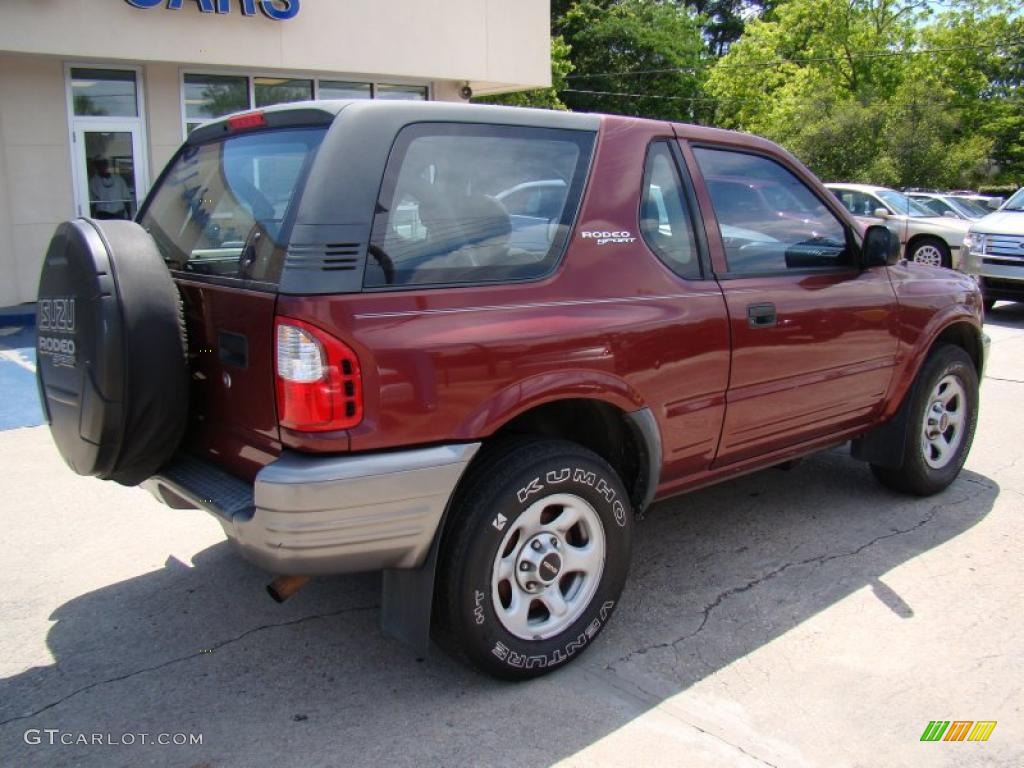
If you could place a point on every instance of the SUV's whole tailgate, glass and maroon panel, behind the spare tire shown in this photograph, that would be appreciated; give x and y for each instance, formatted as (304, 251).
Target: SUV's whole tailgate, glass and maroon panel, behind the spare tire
(221, 217)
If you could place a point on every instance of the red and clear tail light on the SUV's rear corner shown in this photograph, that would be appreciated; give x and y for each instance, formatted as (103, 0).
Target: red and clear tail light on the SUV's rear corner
(320, 387)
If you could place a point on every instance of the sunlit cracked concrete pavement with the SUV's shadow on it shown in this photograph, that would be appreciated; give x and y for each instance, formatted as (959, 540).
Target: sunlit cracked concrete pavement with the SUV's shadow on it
(802, 618)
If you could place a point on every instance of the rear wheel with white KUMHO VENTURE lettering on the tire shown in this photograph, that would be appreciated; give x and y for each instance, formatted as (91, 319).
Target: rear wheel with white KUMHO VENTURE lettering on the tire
(535, 558)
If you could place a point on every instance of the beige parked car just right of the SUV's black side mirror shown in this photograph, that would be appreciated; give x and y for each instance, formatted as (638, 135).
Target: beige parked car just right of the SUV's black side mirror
(926, 237)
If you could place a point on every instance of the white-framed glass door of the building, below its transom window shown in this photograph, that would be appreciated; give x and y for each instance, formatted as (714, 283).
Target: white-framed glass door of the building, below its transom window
(110, 169)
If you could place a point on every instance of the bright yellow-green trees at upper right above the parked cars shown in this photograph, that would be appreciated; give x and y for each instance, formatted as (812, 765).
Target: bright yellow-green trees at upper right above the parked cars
(822, 78)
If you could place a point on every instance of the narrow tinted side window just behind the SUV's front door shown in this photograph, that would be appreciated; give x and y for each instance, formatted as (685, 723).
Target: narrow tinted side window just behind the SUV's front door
(666, 223)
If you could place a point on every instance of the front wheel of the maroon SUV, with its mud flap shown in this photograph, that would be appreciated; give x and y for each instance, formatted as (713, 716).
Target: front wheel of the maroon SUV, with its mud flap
(941, 425)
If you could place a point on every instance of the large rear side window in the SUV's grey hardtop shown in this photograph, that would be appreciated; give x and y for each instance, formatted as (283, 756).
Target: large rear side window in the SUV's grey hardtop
(467, 204)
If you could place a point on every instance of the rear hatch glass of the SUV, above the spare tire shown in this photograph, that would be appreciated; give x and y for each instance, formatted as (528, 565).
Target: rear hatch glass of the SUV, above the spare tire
(222, 208)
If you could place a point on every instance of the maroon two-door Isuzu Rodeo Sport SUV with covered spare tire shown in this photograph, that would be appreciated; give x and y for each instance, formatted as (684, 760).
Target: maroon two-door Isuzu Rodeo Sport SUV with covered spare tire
(328, 330)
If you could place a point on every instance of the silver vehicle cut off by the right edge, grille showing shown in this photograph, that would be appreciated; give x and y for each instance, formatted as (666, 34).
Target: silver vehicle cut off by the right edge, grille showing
(995, 250)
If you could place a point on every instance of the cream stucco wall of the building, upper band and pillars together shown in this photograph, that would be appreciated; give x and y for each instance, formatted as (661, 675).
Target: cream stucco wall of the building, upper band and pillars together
(495, 46)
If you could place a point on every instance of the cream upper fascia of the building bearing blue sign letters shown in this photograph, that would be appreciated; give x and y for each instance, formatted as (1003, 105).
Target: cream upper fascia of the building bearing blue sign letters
(500, 45)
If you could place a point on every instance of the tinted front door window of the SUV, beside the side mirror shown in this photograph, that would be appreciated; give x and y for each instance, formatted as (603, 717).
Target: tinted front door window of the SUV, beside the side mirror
(770, 220)
